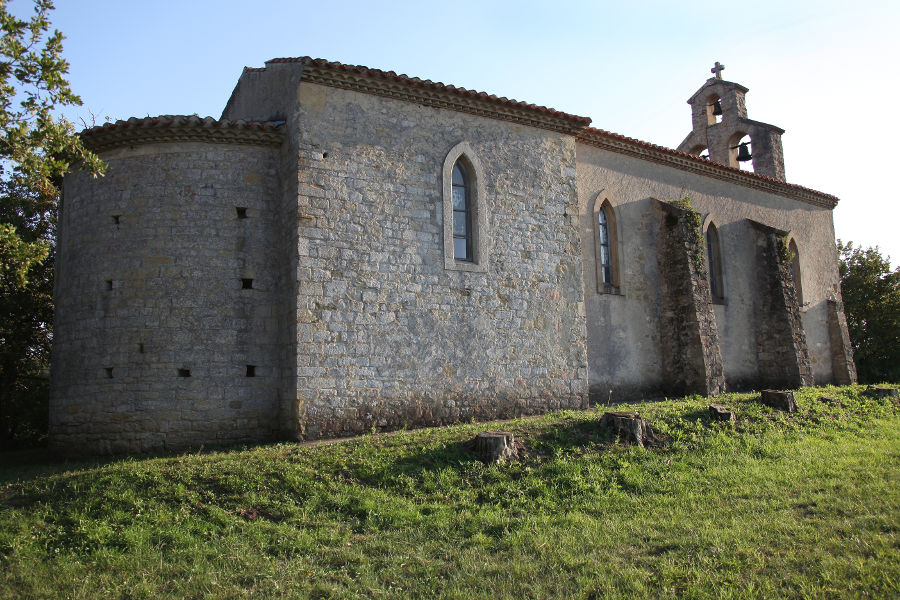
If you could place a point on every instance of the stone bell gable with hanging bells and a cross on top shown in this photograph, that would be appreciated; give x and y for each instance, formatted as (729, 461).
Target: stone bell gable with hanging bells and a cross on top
(721, 127)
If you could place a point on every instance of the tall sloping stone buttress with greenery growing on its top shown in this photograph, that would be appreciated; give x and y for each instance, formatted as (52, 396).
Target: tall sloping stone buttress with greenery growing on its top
(692, 360)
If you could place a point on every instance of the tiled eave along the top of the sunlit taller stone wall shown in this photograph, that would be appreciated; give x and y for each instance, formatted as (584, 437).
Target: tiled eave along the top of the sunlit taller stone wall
(434, 94)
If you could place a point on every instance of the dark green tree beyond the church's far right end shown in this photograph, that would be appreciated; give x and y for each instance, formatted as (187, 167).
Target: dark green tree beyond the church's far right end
(872, 304)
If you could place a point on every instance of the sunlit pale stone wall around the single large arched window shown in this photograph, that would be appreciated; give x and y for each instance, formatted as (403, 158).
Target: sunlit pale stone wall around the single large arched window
(386, 335)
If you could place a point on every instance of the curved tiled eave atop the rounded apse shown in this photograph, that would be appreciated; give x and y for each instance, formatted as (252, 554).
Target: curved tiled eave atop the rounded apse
(179, 128)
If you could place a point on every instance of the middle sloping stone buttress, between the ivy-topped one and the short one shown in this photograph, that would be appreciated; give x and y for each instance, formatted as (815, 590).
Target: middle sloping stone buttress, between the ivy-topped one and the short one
(782, 353)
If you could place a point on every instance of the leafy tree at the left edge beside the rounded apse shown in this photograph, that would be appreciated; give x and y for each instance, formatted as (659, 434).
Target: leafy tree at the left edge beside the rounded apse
(37, 148)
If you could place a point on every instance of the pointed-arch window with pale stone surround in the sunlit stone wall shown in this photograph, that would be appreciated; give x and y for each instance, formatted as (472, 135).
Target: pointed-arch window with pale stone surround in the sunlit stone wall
(464, 211)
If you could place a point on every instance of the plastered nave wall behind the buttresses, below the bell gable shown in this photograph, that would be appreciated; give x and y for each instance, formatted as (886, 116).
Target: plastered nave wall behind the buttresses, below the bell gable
(623, 328)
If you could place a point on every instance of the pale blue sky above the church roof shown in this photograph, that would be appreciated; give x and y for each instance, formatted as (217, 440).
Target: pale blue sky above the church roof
(825, 71)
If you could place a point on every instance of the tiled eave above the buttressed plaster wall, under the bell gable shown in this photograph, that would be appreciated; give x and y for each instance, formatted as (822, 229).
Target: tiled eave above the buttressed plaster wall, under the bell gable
(693, 164)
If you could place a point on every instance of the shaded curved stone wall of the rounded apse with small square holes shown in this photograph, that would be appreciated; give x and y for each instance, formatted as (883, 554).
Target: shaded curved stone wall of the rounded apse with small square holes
(149, 288)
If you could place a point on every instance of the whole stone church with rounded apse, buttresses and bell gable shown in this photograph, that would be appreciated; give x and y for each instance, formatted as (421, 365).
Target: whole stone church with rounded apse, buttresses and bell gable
(349, 249)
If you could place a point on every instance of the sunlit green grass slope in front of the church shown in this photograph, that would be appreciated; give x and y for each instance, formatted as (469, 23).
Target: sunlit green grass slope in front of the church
(803, 505)
